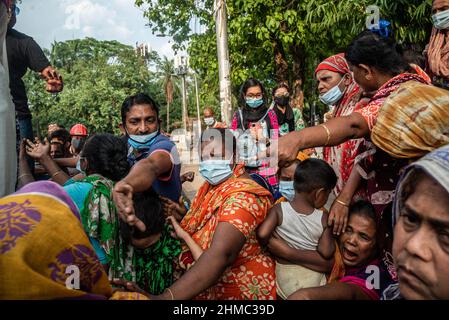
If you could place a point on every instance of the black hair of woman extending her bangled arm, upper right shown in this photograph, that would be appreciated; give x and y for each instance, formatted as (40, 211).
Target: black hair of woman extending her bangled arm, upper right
(383, 54)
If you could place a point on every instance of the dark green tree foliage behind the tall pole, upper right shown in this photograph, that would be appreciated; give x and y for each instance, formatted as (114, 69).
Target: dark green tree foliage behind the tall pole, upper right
(282, 40)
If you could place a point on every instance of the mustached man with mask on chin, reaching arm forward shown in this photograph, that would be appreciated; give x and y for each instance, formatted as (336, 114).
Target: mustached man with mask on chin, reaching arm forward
(153, 157)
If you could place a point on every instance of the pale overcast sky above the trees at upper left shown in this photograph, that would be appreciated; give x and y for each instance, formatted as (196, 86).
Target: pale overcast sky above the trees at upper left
(50, 20)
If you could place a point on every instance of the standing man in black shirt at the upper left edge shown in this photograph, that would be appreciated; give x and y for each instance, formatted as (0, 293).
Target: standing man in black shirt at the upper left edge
(23, 53)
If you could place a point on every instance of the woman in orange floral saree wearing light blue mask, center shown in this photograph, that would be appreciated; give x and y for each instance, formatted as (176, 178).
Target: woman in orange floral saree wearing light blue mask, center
(222, 221)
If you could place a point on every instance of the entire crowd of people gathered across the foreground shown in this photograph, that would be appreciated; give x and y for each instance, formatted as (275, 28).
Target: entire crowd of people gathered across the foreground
(368, 221)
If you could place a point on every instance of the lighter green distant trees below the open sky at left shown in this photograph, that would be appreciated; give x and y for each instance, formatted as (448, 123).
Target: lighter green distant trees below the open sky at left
(98, 76)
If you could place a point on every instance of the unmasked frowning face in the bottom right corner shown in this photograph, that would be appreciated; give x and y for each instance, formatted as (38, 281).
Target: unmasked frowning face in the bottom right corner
(421, 243)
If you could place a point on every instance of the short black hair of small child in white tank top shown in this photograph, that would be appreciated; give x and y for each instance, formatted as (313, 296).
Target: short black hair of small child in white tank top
(312, 174)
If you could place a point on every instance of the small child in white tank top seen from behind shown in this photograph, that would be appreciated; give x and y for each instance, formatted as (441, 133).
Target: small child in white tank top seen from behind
(302, 225)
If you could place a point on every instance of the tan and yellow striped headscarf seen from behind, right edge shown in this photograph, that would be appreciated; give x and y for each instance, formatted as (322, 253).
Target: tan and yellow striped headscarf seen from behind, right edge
(413, 121)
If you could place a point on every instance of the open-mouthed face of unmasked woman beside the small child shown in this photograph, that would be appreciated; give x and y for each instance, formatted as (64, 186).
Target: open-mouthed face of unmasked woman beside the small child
(358, 242)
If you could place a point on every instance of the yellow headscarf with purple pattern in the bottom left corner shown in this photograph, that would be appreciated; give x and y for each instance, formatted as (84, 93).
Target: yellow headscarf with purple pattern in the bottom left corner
(43, 248)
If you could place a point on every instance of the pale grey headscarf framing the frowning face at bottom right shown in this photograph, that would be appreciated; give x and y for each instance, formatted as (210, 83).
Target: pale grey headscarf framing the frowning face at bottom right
(434, 164)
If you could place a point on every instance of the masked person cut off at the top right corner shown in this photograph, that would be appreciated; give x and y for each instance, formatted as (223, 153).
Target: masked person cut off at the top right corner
(438, 49)
